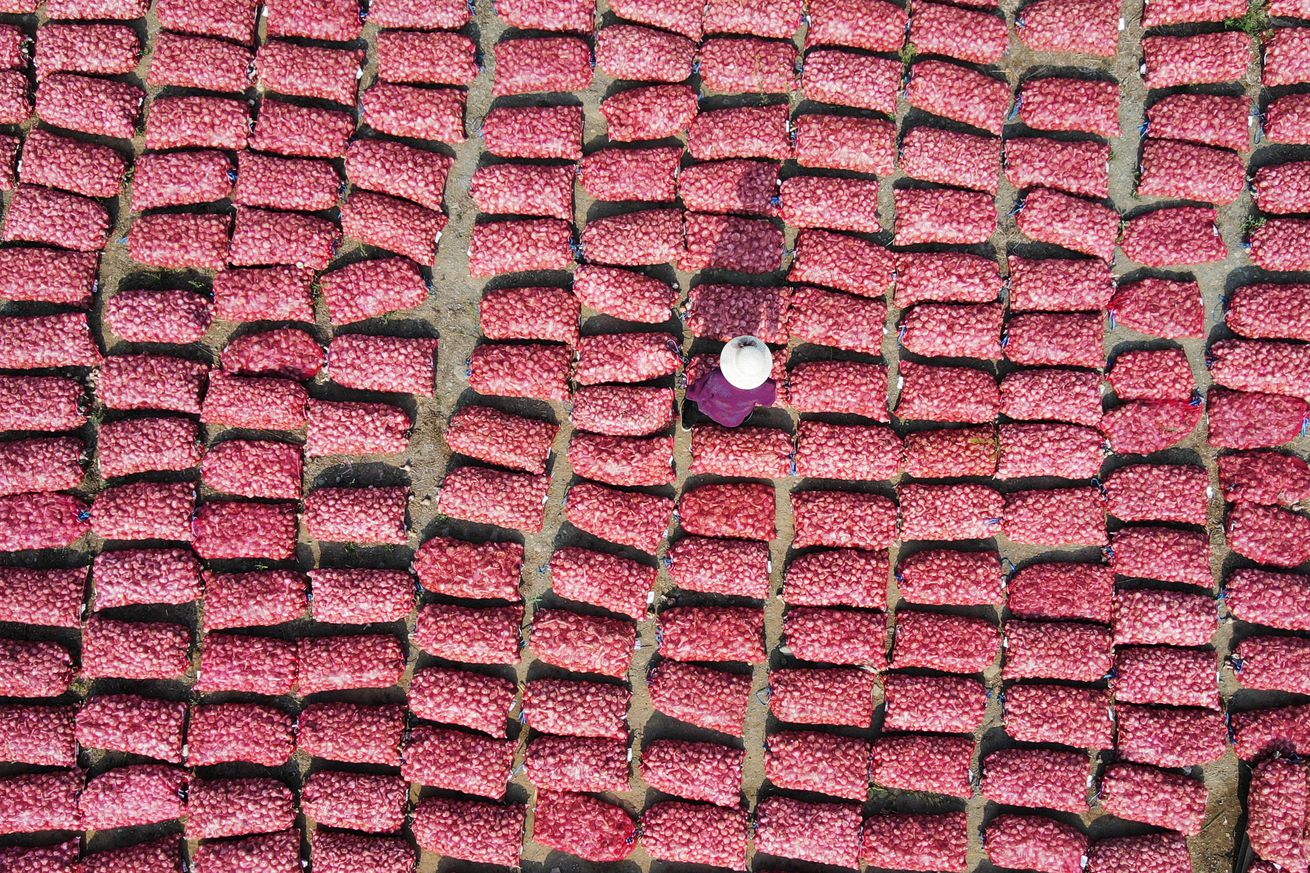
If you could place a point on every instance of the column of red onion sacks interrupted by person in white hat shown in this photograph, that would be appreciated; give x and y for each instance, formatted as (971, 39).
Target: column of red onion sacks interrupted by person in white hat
(713, 648)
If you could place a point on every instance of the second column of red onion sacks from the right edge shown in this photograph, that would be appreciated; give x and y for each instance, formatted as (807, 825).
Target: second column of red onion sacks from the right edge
(1168, 707)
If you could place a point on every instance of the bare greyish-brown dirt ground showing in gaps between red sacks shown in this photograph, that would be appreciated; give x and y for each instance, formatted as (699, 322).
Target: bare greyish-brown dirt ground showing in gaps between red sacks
(453, 315)
